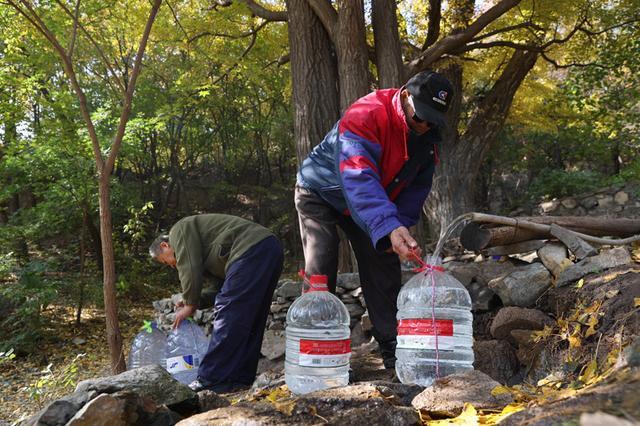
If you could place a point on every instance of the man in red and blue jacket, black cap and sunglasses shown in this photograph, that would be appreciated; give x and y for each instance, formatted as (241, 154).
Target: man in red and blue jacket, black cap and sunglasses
(370, 176)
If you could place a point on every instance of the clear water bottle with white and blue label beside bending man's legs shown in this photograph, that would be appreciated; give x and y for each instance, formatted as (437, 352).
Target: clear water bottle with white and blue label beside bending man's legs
(186, 345)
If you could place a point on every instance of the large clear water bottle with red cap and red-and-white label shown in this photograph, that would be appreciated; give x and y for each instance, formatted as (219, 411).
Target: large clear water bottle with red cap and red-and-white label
(318, 345)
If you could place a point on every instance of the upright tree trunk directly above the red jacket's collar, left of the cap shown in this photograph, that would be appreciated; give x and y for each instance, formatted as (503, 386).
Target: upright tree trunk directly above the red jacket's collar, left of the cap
(387, 43)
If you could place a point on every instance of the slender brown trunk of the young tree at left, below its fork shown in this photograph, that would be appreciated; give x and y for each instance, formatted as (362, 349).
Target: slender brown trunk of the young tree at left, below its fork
(114, 338)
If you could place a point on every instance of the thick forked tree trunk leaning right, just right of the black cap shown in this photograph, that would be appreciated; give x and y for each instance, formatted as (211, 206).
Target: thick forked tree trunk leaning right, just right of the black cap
(454, 186)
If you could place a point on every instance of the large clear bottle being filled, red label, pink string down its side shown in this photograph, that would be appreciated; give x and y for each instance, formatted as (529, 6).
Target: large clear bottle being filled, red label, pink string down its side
(435, 335)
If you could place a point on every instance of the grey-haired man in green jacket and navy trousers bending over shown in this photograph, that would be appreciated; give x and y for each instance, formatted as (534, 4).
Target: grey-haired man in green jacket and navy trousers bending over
(248, 257)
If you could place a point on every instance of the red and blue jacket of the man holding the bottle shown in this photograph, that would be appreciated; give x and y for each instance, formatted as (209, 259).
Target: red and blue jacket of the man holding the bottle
(363, 167)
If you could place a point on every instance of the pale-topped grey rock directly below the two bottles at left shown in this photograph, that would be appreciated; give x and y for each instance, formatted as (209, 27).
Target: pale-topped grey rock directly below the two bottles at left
(151, 381)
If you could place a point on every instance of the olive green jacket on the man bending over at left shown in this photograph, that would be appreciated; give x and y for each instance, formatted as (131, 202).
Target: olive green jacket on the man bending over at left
(208, 244)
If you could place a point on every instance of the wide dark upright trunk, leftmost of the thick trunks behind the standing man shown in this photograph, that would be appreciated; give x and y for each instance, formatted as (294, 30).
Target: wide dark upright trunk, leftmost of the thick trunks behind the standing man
(313, 76)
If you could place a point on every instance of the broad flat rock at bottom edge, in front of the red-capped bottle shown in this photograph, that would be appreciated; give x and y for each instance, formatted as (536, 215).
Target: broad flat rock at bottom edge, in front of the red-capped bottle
(356, 405)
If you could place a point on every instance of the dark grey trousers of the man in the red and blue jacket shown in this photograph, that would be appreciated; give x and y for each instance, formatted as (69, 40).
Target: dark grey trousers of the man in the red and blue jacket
(379, 271)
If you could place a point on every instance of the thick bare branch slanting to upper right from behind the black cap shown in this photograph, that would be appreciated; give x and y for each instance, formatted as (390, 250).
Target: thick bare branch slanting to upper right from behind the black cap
(455, 41)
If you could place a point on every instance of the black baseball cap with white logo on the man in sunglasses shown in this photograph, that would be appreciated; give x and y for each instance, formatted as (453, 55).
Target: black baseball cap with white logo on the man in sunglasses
(432, 94)
